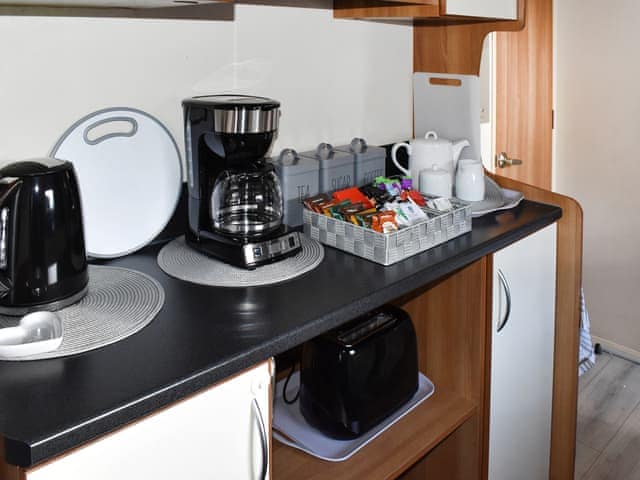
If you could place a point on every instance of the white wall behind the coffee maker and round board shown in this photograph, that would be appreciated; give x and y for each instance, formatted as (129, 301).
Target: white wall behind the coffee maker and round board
(335, 78)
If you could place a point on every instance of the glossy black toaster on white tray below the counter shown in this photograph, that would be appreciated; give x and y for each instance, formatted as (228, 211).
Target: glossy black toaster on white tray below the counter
(353, 377)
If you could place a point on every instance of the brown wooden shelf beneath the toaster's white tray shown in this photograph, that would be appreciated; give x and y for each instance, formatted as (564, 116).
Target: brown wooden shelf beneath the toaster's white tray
(389, 455)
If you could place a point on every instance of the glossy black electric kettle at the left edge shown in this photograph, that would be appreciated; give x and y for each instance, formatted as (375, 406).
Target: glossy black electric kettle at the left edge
(43, 262)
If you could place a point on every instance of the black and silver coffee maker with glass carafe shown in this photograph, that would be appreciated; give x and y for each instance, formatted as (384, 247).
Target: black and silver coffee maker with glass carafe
(235, 199)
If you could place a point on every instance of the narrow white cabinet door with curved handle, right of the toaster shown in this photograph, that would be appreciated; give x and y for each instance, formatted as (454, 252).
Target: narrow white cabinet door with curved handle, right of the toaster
(524, 281)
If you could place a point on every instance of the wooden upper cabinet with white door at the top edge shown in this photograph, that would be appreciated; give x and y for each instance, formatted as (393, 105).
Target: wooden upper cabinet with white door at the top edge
(432, 11)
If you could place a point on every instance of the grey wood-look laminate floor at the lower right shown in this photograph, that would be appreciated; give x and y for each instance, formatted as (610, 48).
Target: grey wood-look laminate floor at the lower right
(608, 445)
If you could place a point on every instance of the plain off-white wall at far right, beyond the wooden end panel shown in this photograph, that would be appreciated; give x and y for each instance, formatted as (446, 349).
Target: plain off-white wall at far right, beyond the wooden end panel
(597, 135)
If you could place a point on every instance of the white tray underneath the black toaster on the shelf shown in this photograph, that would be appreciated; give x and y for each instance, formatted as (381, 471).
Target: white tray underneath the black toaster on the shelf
(292, 429)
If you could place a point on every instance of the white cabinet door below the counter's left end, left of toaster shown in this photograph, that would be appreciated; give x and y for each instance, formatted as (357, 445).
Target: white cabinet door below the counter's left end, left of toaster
(215, 434)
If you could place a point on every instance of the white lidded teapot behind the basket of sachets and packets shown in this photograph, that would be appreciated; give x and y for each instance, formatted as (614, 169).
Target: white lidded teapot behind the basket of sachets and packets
(428, 151)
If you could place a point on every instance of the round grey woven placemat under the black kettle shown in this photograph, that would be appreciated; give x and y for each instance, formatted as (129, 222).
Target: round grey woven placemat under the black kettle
(119, 303)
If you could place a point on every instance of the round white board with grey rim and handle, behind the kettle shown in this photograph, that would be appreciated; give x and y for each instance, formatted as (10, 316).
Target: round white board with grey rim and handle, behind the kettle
(130, 177)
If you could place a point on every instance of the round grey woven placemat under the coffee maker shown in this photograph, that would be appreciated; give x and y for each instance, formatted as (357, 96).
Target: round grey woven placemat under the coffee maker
(179, 260)
